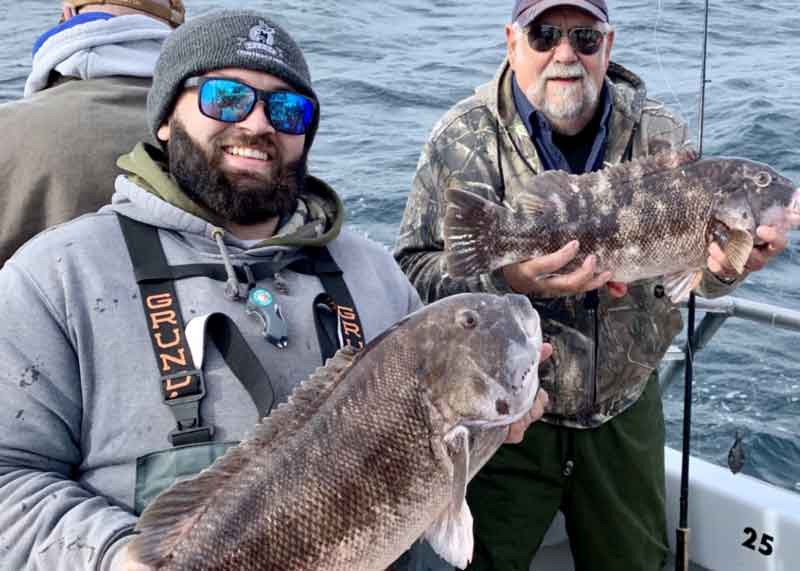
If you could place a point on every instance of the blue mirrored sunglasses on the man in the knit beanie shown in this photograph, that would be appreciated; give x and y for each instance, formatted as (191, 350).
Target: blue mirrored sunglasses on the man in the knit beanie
(231, 101)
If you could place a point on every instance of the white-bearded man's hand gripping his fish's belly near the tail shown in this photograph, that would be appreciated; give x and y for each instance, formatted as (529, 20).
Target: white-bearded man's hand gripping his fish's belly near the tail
(535, 276)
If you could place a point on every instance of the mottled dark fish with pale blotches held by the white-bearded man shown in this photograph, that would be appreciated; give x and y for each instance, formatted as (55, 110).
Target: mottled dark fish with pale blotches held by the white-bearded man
(649, 217)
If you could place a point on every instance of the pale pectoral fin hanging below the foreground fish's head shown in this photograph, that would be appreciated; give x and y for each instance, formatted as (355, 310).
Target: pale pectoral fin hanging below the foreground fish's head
(450, 535)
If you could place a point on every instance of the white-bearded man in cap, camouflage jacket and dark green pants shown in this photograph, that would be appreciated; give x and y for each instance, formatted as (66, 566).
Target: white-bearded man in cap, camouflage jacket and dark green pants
(558, 102)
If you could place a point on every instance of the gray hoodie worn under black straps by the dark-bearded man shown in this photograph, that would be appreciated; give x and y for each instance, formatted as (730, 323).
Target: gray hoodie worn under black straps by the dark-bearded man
(81, 392)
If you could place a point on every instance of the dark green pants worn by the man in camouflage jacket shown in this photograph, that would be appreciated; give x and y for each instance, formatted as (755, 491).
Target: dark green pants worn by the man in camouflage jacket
(608, 482)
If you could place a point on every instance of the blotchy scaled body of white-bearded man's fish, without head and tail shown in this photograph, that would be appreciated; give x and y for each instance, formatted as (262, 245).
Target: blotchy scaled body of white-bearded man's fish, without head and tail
(639, 224)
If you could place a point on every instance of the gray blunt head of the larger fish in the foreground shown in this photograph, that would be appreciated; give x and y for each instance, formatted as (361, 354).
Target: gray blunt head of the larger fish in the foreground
(481, 356)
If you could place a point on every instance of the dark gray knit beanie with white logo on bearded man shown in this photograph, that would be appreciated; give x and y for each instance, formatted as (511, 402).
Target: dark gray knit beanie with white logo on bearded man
(222, 39)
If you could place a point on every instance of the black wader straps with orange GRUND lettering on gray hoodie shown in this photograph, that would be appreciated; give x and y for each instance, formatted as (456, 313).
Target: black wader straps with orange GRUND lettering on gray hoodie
(182, 380)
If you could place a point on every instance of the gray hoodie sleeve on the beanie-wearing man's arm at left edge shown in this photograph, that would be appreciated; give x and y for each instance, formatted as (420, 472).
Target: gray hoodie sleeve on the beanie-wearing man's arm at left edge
(48, 521)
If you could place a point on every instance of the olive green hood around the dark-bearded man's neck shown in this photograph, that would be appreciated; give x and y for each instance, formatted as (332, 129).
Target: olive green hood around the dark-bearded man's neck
(317, 221)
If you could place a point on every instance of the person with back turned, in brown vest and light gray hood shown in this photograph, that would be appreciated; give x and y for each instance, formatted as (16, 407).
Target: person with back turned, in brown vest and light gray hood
(83, 107)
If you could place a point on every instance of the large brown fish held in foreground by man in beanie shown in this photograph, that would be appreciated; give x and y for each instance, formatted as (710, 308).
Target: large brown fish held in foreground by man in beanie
(371, 452)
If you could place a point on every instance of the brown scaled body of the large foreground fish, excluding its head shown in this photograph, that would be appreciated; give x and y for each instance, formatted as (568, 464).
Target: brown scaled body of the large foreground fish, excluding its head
(358, 476)
